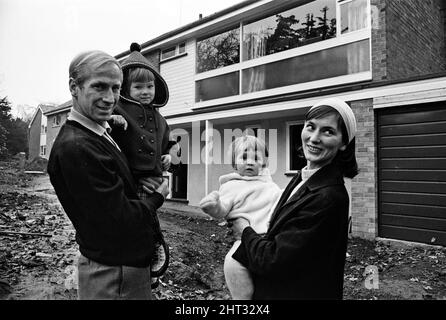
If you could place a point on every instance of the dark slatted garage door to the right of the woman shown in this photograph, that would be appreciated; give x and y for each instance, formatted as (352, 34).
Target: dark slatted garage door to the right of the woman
(412, 173)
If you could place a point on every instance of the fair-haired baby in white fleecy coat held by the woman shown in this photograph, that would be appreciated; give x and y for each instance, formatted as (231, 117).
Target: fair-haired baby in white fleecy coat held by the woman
(247, 193)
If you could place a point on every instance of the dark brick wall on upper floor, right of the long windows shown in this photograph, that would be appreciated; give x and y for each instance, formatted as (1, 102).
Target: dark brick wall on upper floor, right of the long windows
(415, 38)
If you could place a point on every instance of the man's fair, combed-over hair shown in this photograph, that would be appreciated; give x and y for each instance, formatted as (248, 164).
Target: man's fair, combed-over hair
(82, 64)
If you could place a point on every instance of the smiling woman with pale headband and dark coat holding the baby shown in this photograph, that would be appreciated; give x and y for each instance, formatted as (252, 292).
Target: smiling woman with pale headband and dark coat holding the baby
(302, 256)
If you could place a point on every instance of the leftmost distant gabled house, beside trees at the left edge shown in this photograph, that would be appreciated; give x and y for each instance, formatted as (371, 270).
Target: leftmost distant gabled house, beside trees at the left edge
(37, 133)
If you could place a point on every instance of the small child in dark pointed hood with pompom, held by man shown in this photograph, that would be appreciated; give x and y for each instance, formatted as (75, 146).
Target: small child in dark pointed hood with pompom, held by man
(143, 134)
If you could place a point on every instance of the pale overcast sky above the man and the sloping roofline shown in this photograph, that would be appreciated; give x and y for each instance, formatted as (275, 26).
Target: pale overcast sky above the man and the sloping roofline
(38, 38)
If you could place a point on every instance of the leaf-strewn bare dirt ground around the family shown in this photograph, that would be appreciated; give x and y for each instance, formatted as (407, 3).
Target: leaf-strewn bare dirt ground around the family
(39, 265)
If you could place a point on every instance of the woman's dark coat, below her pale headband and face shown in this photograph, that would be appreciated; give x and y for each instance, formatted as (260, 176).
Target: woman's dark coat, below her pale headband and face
(302, 256)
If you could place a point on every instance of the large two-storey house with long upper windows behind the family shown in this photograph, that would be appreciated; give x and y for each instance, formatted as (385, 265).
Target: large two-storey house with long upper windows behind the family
(259, 65)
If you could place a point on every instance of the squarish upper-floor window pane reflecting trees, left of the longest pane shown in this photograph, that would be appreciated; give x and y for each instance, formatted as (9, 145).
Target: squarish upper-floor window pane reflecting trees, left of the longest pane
(218, 51)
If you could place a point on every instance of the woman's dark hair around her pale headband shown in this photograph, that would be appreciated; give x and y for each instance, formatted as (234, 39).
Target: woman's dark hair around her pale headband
(345, 160)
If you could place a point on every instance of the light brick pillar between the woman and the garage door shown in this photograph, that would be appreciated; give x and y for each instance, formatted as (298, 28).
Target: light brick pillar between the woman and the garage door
(364, 185)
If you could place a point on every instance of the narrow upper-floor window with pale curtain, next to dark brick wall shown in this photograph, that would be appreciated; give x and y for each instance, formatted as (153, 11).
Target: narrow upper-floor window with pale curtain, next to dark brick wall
(353, 15)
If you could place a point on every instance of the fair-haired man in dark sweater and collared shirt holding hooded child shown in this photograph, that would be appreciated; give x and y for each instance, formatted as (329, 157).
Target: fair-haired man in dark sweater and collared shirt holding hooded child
(114, 228)
